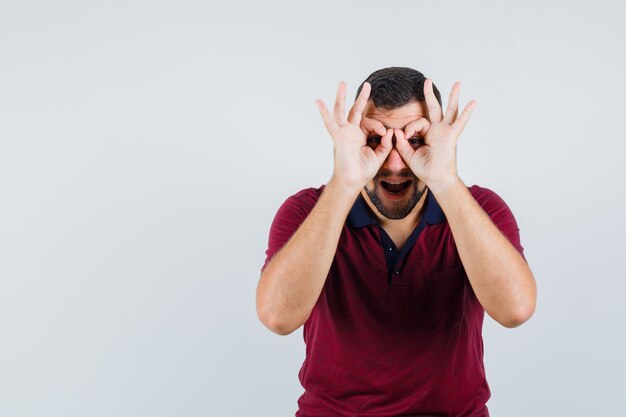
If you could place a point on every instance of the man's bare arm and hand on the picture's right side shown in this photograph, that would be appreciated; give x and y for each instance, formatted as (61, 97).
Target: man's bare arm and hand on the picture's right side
(499, 275)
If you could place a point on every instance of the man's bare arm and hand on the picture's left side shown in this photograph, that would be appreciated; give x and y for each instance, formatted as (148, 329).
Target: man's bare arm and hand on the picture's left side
(293, 279)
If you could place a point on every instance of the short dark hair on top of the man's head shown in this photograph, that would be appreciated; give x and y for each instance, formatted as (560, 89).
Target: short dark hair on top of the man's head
(396, 86)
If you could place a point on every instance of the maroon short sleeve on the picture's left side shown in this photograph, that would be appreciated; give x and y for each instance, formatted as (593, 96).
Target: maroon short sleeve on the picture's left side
(288, 219)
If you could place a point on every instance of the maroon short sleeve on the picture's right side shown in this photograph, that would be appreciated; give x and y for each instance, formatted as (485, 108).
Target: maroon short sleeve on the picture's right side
(500, 215)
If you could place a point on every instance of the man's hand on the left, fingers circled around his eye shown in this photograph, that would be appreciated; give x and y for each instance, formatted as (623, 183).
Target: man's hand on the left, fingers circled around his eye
(356, 161)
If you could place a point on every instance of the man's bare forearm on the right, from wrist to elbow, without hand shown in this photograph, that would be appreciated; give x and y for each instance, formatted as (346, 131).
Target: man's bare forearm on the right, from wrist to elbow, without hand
(499, 275)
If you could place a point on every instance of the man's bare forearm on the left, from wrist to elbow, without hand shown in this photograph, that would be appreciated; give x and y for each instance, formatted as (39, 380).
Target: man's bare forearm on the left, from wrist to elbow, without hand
(293, 279)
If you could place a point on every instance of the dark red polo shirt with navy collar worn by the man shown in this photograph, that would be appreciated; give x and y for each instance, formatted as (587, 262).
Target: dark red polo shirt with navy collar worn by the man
(393, 333)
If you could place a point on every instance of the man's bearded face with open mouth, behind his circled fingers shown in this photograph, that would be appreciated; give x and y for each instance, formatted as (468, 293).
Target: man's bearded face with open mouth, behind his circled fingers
(395, 190)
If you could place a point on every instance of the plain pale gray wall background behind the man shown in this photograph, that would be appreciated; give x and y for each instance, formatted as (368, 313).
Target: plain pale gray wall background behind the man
(145, 147)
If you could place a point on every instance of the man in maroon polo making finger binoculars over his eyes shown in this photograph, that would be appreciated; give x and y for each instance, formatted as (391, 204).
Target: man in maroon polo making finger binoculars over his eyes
(392, 264)
